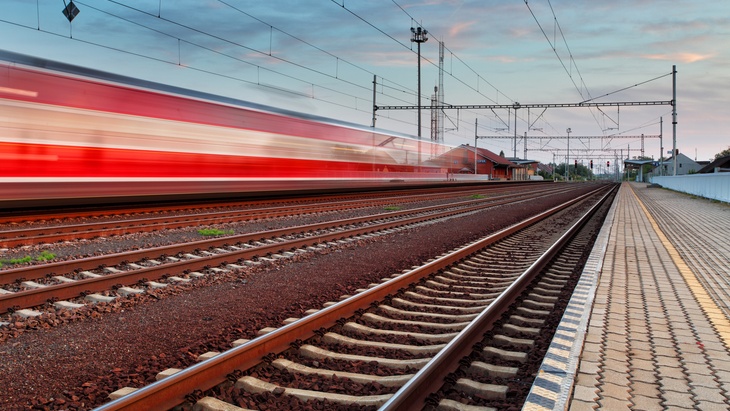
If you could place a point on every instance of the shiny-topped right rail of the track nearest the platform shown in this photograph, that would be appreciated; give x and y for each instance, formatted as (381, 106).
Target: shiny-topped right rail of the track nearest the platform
(413, 395)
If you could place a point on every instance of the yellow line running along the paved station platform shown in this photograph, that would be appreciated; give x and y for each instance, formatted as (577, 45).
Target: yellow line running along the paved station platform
(719, 320)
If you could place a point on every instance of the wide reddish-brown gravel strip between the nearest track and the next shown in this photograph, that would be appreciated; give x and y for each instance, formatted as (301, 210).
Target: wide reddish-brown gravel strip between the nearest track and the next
(72, 361)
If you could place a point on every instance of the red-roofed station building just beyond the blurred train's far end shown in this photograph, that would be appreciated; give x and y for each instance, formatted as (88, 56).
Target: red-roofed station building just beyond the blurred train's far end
(461, 160)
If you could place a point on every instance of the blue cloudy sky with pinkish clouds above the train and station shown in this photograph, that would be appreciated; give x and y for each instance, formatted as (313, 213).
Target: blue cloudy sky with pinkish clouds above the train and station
(320, 57)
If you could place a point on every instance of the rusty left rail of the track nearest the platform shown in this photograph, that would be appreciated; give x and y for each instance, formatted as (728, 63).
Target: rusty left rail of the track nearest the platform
(171, 391)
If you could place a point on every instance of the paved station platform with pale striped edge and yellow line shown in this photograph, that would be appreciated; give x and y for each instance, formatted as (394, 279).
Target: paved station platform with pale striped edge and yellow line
(648, 327)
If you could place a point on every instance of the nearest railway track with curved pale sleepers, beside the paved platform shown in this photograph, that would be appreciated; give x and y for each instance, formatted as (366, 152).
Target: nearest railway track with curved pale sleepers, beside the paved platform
(395, 344)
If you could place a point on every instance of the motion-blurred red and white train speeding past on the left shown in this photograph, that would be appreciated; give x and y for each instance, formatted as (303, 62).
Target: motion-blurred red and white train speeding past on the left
(70, 134)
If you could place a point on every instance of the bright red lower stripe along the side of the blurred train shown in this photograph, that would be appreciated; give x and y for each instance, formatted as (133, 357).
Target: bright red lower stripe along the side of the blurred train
(42, 160)
